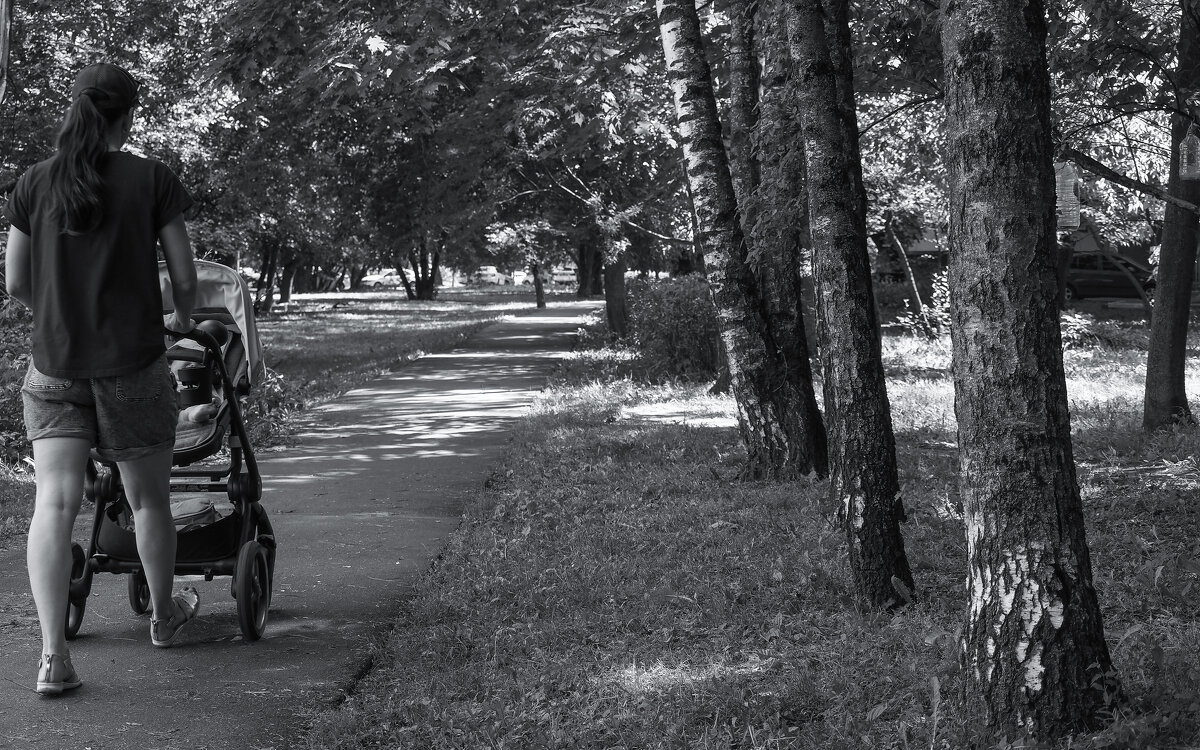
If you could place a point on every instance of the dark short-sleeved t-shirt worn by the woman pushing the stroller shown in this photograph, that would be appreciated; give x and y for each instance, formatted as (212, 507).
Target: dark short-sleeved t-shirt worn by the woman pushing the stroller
(98, 307)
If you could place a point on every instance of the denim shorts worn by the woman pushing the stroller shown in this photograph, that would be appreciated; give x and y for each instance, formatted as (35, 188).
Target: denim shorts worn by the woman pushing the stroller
(125, 417)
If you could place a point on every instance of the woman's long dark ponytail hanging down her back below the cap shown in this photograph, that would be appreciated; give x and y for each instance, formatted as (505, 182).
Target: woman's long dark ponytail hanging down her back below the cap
(75, 171)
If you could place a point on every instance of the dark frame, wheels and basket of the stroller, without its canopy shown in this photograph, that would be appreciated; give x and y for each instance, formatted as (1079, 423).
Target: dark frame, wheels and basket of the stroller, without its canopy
(241, 545)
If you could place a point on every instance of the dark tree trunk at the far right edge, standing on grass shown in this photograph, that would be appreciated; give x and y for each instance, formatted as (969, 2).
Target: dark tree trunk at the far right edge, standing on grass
(1167, 400)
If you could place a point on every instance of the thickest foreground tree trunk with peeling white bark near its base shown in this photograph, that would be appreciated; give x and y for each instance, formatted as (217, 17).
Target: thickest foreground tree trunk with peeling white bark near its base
(1035, 652)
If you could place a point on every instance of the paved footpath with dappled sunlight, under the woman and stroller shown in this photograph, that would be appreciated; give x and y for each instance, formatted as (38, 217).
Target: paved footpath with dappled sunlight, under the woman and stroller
(361, 506)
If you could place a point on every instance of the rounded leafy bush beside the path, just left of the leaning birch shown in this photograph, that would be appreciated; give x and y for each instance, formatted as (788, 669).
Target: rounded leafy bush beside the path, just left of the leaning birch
(673, 328)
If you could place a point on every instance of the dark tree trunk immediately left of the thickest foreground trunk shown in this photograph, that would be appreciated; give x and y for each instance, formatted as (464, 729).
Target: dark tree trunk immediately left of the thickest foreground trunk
(862, 448)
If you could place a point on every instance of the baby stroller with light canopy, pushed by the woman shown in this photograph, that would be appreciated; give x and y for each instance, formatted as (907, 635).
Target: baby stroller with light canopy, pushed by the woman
(215, 367)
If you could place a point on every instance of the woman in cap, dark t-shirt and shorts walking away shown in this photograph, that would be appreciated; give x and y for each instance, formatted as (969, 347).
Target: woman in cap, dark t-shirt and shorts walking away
(82, 256)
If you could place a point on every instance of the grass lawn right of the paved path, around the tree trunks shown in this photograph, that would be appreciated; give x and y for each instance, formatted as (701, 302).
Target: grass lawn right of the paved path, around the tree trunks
(616, 587)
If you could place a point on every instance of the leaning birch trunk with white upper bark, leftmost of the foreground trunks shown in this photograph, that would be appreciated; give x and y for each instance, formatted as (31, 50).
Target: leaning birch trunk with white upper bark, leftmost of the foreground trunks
(766, 401)
